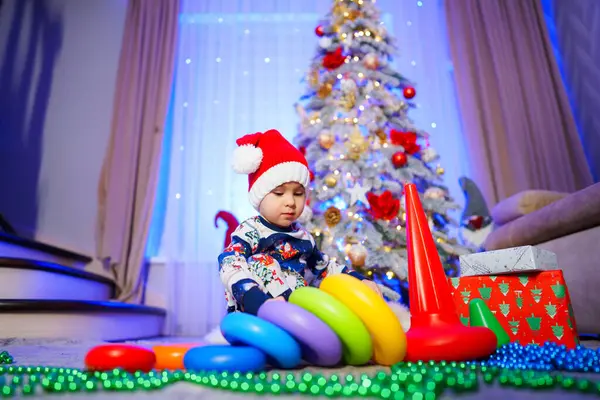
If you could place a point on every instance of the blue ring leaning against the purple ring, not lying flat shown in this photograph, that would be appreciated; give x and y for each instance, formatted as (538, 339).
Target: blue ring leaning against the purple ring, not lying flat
(240, 328)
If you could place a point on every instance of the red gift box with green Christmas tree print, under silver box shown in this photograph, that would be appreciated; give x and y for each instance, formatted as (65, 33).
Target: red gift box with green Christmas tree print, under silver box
(531, 307)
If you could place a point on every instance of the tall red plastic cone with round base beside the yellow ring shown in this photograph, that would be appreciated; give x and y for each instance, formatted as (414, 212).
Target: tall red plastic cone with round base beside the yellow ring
(436, 332)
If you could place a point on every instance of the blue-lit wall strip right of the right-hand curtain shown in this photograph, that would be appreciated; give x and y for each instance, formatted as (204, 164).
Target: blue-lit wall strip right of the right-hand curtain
(574, 27)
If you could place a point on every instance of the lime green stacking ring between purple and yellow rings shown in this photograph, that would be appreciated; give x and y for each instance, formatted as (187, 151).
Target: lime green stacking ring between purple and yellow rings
(357, 348)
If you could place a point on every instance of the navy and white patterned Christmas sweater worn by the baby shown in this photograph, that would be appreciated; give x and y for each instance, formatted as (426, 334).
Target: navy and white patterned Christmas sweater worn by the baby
(293, 248)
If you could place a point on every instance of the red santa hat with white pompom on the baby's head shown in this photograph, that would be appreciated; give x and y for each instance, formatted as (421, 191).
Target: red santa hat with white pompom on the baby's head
(269, 160)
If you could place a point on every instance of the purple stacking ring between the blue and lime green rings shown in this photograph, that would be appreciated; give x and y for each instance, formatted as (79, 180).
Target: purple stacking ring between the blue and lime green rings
(318, 343)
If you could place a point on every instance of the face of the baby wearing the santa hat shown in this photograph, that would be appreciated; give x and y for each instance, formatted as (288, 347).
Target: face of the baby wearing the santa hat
(284, 204)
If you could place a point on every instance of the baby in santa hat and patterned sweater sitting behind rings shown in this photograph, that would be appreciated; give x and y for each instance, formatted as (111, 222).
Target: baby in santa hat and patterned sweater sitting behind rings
(271, 255)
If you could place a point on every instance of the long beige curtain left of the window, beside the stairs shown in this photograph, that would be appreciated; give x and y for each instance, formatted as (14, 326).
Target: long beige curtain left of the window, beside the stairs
(130, 171)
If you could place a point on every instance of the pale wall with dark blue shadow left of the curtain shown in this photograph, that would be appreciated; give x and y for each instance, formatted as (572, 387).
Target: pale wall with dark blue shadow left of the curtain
(58, 64)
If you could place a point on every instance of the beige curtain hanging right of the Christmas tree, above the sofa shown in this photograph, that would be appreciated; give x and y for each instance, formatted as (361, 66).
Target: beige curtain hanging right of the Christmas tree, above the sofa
(518, 124)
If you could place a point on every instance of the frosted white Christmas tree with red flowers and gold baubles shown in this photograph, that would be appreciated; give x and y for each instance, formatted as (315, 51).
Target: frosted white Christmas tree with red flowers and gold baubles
(361, 147)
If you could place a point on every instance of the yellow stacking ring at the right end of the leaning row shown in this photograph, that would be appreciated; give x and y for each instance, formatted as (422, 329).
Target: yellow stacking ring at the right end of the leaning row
(389, 339)
